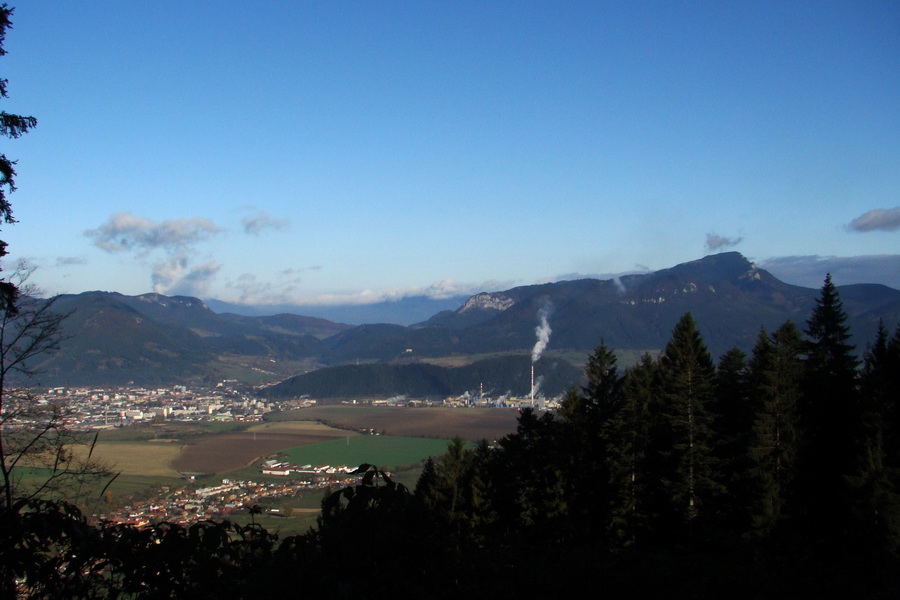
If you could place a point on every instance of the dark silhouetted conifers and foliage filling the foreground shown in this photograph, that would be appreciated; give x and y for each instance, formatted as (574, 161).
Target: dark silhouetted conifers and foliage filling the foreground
(769, 475)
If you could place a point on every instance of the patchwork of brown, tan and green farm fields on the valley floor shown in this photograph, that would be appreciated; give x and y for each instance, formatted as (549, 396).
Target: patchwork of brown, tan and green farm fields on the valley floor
(145, 457)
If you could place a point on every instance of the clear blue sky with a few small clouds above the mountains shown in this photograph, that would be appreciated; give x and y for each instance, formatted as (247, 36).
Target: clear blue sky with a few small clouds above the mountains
(353, 151)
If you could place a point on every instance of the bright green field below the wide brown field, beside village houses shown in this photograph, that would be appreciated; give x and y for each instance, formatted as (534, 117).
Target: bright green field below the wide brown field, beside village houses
(381, 450)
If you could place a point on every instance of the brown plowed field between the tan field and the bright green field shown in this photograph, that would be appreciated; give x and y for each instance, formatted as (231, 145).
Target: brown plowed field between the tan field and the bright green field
(227, 451)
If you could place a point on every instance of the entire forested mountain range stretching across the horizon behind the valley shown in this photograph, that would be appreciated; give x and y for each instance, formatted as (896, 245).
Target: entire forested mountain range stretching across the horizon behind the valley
(155, 339)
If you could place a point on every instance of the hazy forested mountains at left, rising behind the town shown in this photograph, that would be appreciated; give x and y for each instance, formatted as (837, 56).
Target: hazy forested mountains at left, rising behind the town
(153, 339)
